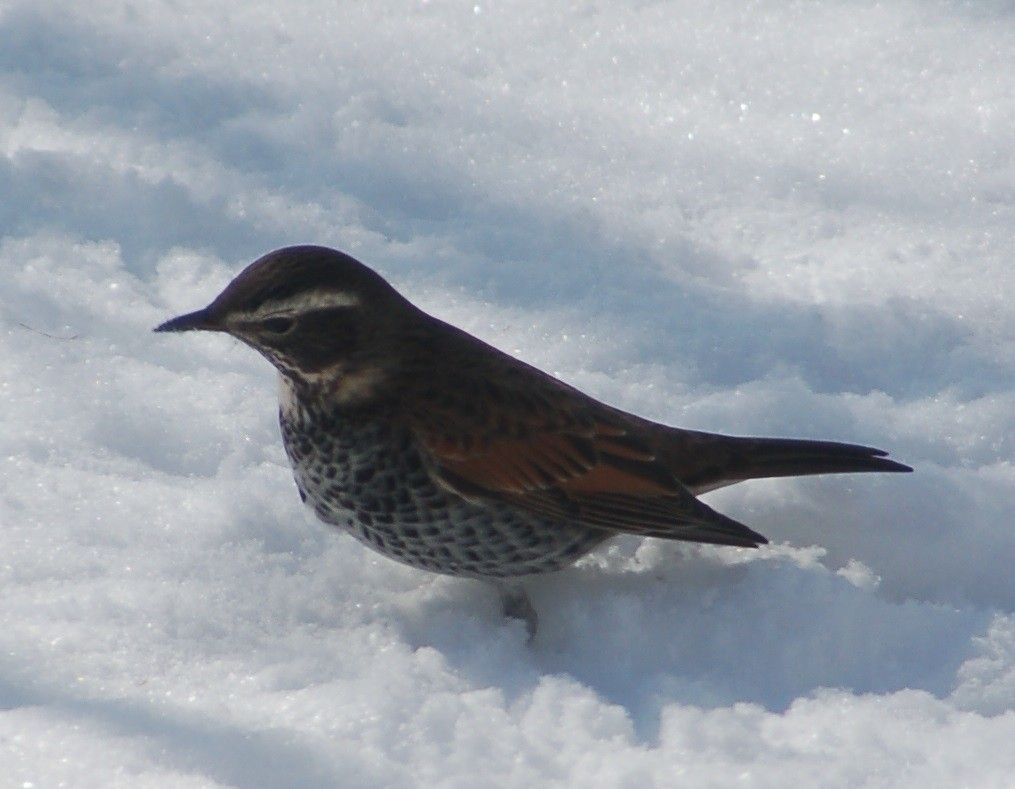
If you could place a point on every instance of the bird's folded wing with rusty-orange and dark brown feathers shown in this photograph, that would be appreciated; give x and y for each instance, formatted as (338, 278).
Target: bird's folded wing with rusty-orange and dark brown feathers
(556, 453)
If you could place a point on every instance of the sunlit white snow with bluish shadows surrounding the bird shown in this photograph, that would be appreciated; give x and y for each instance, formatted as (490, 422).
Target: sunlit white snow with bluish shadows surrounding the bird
(766, 218)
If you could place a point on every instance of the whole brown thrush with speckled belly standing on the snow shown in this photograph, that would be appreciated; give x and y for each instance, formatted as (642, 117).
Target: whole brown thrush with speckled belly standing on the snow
(440, 451)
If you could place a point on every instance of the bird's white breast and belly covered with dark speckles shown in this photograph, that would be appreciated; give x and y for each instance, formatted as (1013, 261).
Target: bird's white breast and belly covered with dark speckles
(368, 478)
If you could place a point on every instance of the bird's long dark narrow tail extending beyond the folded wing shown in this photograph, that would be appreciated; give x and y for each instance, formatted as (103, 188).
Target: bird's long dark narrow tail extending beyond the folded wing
(741, 458)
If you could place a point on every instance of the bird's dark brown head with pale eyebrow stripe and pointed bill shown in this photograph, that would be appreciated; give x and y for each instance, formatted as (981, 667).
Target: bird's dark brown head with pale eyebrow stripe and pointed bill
(315, 313)
